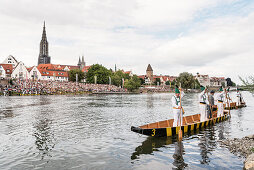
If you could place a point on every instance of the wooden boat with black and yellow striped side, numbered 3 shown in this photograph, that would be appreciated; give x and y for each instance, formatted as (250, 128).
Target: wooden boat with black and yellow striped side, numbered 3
(190, 123)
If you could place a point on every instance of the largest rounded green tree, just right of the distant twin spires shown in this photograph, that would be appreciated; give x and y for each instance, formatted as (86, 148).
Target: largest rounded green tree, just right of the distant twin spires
(101, 72)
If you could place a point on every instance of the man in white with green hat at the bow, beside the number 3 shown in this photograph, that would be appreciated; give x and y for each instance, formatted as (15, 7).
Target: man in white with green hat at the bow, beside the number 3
(177, 108)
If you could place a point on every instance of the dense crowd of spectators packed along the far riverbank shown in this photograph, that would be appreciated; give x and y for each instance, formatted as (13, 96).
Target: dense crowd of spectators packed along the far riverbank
(29, 87)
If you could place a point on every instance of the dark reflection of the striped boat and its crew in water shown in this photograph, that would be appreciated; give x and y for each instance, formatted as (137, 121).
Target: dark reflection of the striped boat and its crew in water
(206, 144)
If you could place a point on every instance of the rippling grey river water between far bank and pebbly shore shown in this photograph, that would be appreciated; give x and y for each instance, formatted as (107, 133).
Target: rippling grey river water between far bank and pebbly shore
(93, 132)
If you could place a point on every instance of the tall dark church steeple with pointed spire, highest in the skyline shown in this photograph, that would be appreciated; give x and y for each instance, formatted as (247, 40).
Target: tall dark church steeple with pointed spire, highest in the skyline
(44, 57)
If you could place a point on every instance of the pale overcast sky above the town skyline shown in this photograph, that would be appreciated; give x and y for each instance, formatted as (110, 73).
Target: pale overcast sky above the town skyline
(214, 37)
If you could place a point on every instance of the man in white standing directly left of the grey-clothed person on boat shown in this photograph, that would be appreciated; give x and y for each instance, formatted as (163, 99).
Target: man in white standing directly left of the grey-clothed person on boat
(203, 102)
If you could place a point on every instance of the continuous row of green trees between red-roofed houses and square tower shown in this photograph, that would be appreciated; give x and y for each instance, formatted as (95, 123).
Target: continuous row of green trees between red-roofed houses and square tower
(101, 75)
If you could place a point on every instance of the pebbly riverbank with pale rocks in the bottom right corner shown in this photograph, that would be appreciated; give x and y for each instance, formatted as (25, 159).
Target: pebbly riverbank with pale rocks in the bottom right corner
(243, 147)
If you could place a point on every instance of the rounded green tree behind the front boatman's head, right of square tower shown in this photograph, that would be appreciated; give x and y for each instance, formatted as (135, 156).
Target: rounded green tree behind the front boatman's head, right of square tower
(186, 79)
